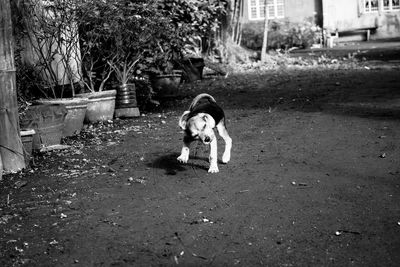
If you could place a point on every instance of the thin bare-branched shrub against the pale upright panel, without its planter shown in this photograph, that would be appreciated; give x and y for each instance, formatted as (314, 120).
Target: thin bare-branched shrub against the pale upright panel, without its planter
(52, 46)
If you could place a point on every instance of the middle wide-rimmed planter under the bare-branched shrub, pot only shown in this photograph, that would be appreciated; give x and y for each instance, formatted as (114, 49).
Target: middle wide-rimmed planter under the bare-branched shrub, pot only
(76, 108)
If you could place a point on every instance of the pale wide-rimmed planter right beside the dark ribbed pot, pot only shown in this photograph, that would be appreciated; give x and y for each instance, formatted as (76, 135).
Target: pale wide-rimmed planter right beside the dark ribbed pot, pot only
(101, 105)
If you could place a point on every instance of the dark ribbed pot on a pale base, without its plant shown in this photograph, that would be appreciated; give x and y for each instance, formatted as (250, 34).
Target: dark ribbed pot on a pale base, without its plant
(125, 102)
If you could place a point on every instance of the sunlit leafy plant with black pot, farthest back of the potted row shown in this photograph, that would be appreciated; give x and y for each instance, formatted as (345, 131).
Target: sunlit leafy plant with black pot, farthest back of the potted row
(196, 25)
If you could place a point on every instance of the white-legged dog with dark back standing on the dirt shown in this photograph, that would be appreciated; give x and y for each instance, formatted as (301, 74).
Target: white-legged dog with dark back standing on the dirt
(198, 124)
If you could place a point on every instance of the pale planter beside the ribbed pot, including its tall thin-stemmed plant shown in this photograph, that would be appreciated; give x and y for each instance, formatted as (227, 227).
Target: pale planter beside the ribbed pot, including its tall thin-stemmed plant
(96, 71)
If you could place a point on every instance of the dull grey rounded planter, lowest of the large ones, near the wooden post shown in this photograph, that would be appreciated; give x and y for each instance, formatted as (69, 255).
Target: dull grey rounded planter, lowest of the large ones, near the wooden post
(48, 123)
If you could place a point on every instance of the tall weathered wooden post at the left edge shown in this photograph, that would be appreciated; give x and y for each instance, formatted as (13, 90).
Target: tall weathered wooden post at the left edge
(11, 149)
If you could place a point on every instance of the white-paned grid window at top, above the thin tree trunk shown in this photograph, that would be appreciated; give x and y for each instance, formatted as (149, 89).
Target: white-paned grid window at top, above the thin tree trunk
(275, 9)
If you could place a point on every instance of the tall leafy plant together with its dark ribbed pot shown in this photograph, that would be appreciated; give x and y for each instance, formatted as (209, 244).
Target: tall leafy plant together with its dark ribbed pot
(127, 30)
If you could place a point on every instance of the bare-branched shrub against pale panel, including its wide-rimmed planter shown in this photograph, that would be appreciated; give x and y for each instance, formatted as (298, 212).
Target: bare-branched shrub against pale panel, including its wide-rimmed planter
(51, 48)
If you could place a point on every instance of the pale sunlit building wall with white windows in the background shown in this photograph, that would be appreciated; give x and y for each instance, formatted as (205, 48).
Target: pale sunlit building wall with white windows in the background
(380, 17)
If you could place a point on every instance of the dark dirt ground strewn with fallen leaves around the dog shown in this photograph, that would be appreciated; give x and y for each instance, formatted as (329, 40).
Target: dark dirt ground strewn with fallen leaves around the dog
(314, 180)
